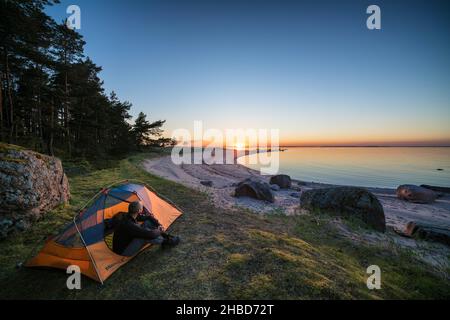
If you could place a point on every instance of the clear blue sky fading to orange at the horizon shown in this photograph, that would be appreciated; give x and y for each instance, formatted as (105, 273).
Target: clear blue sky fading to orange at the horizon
(309, 68)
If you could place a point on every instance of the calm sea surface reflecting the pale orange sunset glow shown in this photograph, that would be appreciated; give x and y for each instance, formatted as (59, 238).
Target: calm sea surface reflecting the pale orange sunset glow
(371, 167)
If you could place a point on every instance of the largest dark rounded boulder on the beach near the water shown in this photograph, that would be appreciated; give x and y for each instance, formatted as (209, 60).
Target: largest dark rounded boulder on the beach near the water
(346, 202)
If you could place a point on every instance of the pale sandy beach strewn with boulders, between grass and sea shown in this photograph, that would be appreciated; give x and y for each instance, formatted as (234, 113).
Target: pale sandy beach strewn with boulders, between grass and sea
(397, 212)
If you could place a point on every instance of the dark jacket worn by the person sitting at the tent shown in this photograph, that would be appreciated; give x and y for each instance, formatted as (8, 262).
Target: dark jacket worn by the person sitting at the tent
(128, 229)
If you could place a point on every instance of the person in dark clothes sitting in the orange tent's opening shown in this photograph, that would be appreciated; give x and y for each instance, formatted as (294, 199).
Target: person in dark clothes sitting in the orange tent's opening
(130, 236)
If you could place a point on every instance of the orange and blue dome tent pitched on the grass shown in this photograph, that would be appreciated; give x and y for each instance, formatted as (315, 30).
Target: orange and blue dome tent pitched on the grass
(85, 242)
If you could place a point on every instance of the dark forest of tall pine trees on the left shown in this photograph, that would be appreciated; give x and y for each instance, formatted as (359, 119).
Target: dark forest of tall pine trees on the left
(51, 96)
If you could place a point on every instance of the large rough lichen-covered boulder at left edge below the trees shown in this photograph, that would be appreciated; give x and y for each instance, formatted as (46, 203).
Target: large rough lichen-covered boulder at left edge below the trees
(30, 185)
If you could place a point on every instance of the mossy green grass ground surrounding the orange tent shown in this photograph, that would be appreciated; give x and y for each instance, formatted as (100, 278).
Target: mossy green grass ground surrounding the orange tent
(225, 254)
